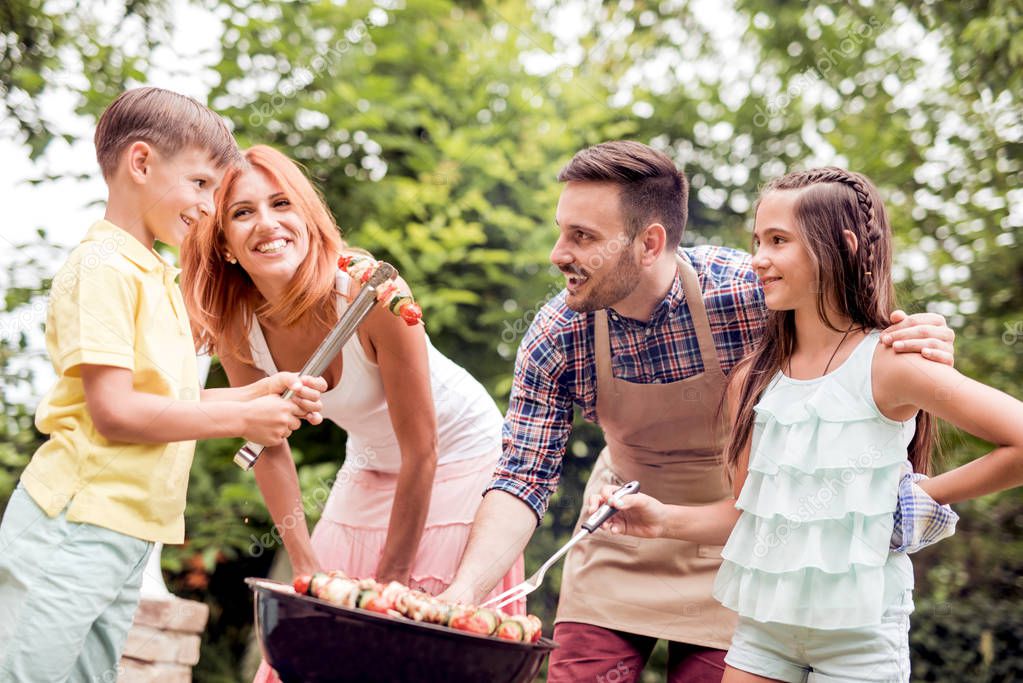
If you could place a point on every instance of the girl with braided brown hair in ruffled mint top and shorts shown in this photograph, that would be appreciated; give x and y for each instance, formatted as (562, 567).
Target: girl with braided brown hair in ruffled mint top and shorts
(825, 421)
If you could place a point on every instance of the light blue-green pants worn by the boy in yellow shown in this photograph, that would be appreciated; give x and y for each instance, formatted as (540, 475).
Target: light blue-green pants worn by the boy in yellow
(68, 595)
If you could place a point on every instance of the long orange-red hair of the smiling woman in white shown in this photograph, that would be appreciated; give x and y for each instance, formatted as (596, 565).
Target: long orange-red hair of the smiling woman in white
(223, 299)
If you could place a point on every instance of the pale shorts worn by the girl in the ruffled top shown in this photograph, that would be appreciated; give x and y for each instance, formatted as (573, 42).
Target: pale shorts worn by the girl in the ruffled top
(797, 655)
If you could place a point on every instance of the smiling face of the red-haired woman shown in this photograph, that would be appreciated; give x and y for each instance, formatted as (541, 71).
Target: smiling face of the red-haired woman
(264, 231)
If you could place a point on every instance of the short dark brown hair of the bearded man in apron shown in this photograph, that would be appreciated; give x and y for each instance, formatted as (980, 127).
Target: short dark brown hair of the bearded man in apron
(653, 191)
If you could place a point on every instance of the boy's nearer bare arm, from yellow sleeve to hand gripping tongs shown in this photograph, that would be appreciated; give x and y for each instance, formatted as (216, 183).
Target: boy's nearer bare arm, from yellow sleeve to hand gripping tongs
(123, 415)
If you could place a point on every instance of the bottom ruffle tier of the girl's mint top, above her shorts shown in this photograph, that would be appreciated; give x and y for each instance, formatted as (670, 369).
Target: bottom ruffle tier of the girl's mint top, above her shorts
(855, 599)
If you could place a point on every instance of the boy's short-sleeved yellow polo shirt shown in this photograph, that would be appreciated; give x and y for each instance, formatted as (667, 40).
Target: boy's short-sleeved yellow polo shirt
(115, 303)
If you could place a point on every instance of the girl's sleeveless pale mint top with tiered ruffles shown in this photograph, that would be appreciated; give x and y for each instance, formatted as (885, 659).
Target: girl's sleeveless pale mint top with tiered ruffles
(812, 545)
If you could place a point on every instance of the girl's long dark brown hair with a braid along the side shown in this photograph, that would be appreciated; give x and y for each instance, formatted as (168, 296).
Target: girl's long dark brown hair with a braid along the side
(858, 285)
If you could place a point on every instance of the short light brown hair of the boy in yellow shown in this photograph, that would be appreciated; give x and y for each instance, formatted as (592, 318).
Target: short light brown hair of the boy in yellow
(166, 120)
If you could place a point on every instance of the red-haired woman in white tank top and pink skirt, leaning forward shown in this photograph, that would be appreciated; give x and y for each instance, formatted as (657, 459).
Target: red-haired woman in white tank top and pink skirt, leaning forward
(424, 437)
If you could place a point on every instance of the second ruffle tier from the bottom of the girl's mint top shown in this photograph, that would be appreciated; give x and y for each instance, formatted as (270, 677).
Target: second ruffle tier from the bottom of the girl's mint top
(776, 545)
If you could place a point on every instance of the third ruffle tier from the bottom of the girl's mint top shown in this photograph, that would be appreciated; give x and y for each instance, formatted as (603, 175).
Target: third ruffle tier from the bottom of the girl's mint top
(795, 495)
